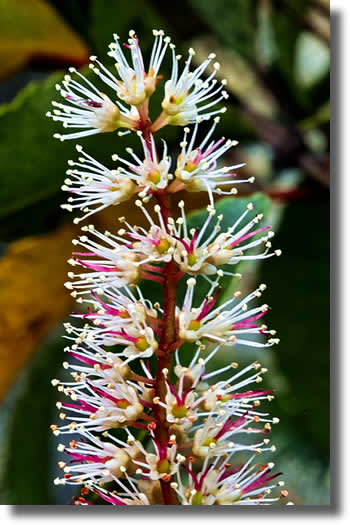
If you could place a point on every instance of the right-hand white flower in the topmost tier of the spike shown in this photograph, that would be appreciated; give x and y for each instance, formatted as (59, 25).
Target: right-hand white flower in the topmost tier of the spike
(187, 94)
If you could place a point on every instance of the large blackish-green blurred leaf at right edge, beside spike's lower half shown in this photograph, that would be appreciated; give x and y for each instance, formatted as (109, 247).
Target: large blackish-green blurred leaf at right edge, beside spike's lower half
(298, 291)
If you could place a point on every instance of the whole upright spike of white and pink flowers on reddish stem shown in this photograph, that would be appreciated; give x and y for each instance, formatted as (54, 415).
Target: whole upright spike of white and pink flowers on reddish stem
(153, 419)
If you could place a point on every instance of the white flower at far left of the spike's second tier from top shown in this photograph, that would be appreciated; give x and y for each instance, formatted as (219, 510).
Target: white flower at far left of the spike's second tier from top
(93, 187)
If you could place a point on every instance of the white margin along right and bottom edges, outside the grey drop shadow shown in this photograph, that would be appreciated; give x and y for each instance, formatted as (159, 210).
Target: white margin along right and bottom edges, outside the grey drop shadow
(341, 220)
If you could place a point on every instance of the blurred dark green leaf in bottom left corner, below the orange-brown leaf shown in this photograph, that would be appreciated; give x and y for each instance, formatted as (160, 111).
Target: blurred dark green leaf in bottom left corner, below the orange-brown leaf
(27, 476)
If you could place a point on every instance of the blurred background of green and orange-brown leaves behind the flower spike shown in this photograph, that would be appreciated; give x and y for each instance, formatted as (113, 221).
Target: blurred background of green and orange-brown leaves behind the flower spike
(275, 57)
